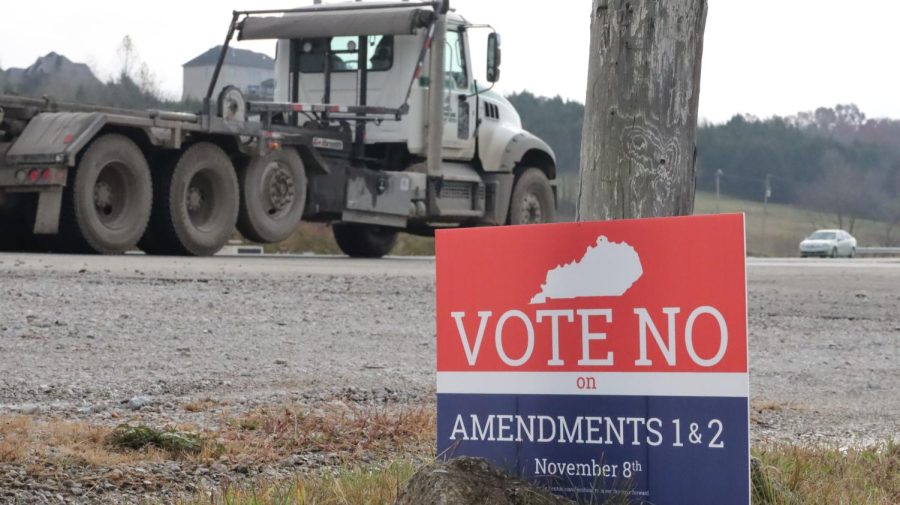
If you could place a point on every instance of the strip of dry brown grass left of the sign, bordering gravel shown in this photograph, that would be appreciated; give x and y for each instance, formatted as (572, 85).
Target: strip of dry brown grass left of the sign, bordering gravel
(344, 433)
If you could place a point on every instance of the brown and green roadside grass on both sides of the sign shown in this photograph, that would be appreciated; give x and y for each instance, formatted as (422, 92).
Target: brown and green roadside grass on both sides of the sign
(378, 450)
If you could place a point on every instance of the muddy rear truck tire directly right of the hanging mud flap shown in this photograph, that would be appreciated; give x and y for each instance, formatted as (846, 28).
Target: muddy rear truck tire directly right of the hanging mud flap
(106, 205)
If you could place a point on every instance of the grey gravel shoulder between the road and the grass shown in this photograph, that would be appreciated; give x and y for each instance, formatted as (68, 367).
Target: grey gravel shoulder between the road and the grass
(96, 339)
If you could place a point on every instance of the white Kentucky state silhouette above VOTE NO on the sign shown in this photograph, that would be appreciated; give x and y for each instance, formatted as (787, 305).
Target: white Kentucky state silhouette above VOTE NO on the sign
(606, 269)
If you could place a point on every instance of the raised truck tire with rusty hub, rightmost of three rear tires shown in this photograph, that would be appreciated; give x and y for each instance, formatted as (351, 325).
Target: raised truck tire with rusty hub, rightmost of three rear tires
(273, 196)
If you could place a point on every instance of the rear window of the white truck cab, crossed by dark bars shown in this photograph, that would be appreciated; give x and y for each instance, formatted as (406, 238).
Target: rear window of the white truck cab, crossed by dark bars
(344, 55)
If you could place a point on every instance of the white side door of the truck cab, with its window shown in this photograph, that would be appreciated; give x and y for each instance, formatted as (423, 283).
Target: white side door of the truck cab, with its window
(459, 109)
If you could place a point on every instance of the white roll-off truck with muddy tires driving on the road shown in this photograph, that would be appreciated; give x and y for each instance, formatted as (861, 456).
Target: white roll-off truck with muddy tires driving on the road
(378, 126)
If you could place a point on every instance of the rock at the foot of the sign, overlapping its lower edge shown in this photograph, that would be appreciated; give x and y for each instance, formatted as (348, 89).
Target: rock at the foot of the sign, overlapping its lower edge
(471, 481)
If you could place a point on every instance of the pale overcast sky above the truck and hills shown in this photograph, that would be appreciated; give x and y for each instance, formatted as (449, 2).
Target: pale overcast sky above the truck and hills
(762, 57)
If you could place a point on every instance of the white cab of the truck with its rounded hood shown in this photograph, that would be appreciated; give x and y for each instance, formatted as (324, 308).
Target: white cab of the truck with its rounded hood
(484, 150)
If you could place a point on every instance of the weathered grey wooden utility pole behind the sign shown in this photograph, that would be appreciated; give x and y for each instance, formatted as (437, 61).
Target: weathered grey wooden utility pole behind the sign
(637, 150)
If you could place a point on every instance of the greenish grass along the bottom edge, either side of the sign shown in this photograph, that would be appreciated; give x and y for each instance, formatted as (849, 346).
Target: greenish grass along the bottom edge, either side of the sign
(786, 475)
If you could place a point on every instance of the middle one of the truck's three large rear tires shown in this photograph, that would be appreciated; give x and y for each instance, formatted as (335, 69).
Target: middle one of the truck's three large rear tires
(196, 204)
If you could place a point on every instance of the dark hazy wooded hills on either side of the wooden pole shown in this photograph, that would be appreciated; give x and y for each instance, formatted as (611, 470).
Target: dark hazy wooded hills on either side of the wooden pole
(832, 159)
